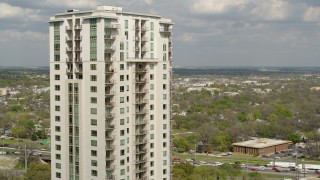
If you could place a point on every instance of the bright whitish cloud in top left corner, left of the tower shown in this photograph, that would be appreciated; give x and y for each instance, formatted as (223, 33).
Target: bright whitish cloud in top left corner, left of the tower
(9, 11)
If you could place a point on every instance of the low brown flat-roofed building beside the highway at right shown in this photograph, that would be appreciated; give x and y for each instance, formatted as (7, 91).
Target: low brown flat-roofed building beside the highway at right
(261, 146)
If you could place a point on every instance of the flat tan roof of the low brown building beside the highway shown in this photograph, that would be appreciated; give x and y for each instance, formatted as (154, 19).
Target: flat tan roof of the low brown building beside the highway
(261, 143)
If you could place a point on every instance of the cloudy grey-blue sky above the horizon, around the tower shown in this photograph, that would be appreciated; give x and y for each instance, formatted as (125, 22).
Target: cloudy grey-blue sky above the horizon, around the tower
(206, 32)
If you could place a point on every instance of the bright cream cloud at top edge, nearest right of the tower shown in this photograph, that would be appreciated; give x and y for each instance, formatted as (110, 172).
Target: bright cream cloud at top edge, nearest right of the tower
(216, 6)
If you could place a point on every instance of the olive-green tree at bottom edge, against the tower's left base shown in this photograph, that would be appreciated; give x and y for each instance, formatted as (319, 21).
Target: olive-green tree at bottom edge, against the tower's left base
(38, 171)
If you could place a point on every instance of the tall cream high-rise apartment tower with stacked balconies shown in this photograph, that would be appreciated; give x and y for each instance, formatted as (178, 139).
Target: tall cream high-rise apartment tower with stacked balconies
(110, 84)
